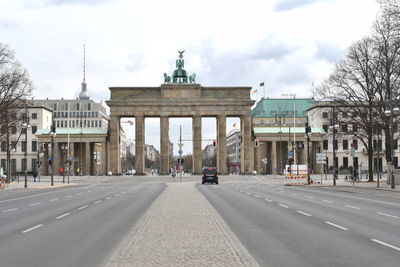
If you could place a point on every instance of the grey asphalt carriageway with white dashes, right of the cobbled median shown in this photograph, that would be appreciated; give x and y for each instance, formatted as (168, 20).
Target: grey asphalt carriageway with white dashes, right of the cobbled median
(303, 226)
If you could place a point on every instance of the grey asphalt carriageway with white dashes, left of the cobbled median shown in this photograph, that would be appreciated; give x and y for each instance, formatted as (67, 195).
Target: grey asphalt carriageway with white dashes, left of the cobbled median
(76, 226)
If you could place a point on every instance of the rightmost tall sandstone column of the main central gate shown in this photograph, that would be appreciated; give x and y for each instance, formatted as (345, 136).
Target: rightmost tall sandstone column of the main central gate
(248, 144)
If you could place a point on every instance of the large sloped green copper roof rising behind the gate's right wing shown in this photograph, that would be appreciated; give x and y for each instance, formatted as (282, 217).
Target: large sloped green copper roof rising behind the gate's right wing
(268, 107)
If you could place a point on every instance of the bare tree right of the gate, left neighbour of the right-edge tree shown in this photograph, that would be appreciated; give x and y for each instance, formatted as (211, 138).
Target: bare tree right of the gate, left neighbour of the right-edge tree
(352, 88)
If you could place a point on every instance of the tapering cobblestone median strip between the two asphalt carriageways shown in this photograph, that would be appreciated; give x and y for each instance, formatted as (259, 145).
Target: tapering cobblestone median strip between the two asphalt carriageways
(181, 228)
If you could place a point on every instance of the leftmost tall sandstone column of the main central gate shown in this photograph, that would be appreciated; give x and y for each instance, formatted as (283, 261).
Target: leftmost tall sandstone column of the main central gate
(115, 148)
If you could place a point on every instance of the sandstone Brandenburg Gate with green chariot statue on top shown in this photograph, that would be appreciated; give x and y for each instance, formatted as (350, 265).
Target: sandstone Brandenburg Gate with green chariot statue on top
(180, 97)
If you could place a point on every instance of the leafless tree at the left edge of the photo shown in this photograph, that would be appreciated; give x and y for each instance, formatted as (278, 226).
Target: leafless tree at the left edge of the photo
(15, 86)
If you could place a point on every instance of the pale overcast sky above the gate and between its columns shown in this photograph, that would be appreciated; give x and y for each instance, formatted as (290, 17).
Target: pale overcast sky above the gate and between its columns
(288, 44)
